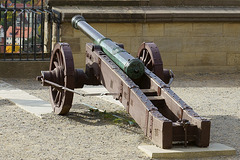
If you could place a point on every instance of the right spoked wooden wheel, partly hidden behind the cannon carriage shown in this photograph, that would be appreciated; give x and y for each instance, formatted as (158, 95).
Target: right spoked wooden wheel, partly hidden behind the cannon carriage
(149, 54)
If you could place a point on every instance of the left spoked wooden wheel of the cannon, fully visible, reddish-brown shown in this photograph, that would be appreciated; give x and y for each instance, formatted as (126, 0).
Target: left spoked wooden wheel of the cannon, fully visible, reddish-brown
(62, 73)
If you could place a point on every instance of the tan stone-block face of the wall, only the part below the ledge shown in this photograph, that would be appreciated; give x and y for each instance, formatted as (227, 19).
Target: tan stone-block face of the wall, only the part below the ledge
(199, 46)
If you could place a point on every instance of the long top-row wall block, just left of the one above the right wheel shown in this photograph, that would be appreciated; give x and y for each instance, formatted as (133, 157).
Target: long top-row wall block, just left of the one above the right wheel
(124, 29)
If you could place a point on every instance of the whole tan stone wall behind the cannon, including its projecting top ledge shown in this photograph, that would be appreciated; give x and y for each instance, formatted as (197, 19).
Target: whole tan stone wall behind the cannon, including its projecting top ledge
(202, 37)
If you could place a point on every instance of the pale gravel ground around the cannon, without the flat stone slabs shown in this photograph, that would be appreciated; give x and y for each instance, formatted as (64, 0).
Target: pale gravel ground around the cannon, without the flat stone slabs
(83, 134)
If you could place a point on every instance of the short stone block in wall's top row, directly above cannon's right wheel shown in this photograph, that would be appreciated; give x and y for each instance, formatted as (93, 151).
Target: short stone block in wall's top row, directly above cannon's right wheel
(153, 29)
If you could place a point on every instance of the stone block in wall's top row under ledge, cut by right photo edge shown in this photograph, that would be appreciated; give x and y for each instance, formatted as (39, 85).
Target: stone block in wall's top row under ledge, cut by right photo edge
(231, 30)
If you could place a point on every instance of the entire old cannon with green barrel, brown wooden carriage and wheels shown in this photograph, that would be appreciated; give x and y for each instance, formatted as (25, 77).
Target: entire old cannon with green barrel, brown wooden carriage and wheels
(140, 84)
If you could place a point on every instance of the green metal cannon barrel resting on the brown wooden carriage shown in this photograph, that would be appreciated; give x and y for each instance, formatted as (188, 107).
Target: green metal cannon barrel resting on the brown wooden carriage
(133, 67)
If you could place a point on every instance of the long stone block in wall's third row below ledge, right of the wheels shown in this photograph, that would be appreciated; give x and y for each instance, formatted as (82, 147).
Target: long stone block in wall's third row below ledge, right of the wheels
(202, 59)
